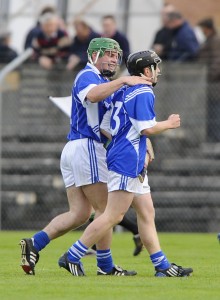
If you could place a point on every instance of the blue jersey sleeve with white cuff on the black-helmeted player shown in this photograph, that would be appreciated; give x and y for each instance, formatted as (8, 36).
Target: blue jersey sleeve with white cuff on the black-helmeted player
(139, 105)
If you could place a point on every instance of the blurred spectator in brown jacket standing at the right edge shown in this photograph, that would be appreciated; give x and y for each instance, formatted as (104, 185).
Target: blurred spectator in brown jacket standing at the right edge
(209, 54)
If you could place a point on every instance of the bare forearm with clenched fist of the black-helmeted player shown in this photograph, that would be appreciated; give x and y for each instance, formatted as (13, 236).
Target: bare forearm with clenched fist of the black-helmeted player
(172, 122)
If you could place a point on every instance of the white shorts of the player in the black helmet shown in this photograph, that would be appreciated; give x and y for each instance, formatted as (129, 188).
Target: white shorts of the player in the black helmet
(117, 182)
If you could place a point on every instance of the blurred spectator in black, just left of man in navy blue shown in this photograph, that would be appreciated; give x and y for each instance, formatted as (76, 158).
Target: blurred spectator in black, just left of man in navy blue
(163, 37)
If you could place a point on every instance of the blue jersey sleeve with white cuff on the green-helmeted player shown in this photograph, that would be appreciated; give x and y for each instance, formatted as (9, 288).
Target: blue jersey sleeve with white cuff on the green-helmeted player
(84, 82)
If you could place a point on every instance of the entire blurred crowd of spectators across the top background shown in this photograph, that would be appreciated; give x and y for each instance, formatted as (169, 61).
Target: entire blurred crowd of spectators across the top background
(175, 41)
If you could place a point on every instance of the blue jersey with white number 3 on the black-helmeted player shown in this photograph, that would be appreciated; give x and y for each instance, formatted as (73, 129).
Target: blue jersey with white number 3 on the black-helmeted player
(132, 111)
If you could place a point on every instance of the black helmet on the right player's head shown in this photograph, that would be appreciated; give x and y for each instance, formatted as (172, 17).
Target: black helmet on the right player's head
(137, 61)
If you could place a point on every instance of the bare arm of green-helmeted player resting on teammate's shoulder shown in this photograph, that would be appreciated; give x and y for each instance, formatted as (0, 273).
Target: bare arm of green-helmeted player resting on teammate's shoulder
(102, 91)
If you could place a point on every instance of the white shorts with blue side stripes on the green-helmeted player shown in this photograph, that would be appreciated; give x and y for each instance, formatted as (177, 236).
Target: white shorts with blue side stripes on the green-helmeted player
(83, 162)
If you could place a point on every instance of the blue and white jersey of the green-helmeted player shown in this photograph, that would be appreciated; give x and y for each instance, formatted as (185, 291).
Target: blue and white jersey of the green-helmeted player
(86, 116)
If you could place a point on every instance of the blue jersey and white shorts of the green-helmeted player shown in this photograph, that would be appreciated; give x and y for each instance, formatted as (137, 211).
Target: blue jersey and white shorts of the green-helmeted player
(83, 159)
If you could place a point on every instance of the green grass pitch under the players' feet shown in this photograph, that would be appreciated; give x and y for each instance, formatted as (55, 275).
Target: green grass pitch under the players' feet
(200, 251)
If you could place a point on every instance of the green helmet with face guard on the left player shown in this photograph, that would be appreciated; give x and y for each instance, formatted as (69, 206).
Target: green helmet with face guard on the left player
(100, 46)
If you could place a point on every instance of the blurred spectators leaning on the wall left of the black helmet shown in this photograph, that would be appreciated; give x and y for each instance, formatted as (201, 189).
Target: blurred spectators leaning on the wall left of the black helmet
(52, 44)
